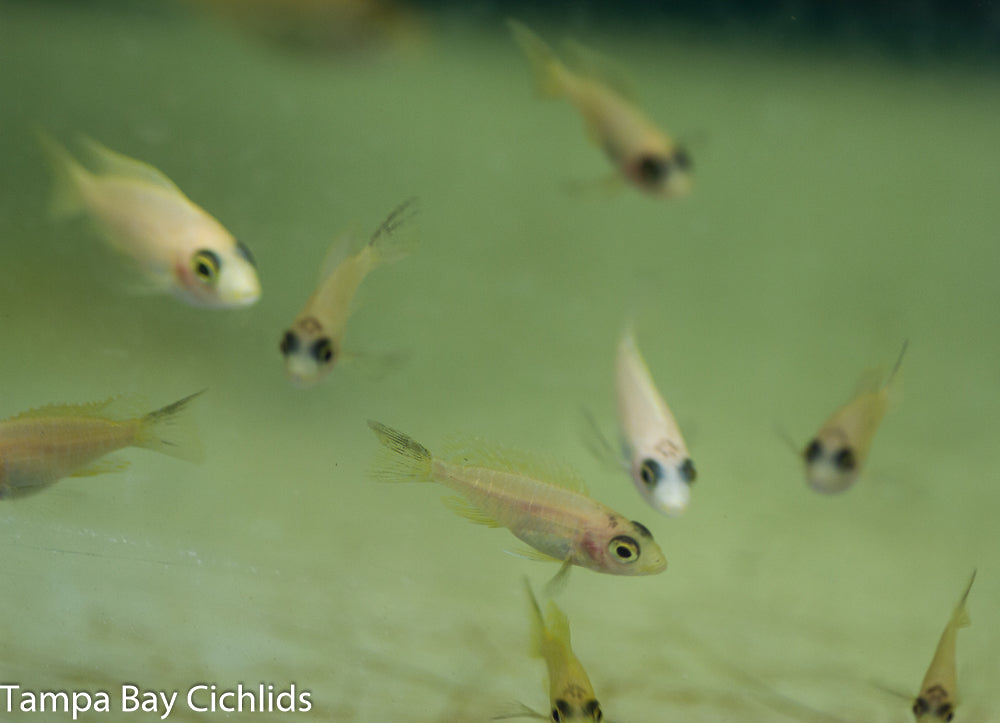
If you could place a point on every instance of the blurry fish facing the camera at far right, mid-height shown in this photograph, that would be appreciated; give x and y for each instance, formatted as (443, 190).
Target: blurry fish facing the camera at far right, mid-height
(838, 451)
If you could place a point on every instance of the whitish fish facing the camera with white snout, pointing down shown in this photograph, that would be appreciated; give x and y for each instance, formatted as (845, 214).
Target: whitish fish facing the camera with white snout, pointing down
(658, 459)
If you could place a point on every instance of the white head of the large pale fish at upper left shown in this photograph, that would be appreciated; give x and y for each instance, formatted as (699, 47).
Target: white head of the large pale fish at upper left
(218, 275)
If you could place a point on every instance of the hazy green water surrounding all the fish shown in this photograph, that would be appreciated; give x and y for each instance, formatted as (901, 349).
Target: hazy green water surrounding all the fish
(843, 202)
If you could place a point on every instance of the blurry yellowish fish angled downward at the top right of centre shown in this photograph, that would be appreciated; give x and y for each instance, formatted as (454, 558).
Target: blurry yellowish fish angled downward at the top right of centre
(643, 154)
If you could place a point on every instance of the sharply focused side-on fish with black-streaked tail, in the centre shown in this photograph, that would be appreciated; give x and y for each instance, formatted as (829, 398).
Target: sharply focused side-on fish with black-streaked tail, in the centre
(503, 489)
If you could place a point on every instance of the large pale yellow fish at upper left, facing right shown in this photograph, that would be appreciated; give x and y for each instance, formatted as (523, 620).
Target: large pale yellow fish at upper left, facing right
(178, 247)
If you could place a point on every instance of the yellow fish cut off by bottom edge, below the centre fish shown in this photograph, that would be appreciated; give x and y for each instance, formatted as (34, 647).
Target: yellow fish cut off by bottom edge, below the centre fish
(571, 696)
